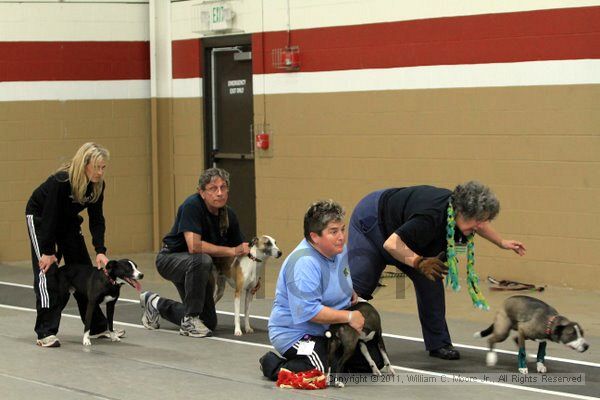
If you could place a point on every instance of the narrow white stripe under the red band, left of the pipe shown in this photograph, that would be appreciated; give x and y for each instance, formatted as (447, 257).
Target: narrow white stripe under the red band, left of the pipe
(74, 90)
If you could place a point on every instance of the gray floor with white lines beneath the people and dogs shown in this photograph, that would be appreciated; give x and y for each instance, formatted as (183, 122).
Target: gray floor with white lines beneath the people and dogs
(163, 364)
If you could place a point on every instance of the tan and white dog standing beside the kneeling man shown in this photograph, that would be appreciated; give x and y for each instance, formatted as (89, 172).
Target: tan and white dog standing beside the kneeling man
(243, 274)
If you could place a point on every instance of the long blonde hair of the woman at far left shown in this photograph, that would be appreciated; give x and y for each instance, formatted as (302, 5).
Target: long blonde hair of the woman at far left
(88, 153)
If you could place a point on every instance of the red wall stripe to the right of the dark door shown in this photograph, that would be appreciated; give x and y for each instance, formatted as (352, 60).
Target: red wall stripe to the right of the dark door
(562, 34)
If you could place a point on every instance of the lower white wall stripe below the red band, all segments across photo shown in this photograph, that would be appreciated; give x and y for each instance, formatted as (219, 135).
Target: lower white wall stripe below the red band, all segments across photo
(570, 72)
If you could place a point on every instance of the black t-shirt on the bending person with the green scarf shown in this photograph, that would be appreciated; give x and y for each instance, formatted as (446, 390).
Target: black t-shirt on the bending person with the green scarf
(417, 214)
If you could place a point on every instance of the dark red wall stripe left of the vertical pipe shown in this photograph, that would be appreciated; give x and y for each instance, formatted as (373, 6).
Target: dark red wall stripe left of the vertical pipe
(71, 61)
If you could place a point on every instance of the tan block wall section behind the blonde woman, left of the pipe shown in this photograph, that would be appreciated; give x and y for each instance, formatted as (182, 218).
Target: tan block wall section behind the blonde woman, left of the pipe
(37, 136)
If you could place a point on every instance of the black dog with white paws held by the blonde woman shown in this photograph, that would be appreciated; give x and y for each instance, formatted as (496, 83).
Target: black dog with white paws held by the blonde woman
(100, 286)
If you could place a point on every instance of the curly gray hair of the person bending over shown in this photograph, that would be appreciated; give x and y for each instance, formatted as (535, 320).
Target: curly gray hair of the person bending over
(474, 200)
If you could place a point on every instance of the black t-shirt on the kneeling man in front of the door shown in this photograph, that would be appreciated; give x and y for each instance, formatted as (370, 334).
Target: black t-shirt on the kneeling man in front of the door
(193, 216)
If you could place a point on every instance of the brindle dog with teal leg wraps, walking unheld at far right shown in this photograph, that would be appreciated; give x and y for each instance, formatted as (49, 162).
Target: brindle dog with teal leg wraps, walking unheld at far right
(535, 320)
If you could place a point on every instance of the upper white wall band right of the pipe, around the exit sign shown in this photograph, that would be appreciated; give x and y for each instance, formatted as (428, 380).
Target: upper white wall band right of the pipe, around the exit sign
(306, 14)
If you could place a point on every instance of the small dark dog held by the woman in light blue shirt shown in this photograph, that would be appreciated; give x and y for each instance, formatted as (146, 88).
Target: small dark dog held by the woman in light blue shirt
(343, 336)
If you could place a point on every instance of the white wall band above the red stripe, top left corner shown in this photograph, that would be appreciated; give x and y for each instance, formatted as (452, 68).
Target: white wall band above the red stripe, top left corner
(23, 22)
